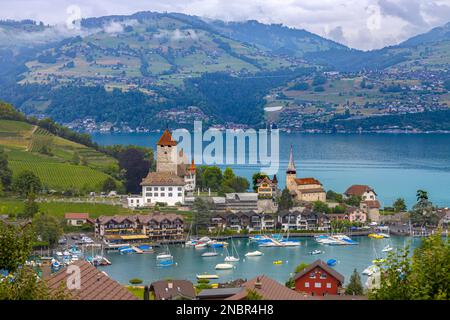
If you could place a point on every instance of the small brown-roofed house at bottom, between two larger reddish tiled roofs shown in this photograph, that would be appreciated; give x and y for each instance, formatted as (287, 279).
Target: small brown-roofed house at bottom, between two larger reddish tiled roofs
(173, 290)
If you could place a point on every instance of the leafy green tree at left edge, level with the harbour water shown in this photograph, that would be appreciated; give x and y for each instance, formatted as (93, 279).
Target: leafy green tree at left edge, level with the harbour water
(15, 245)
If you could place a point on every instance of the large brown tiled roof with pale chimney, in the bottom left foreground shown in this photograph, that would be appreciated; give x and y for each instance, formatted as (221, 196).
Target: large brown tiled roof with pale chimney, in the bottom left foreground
(93, 283)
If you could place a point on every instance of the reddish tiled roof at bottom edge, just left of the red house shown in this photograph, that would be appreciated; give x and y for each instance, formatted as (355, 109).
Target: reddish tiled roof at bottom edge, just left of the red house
(267, 288)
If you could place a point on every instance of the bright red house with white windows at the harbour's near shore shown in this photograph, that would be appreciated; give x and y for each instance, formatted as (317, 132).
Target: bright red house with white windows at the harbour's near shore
(318, 279)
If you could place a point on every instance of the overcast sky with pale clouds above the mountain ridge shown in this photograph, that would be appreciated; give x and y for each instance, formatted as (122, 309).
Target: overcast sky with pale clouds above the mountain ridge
(363, 24)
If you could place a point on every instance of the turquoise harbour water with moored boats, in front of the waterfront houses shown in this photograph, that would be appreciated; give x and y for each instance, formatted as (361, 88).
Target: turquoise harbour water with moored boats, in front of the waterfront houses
(190, 263)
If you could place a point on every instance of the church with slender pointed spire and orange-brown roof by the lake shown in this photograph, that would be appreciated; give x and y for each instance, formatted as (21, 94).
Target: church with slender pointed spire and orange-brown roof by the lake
(303, 189)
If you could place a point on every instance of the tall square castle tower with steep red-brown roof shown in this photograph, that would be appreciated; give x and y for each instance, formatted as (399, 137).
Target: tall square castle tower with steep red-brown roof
(166, 154)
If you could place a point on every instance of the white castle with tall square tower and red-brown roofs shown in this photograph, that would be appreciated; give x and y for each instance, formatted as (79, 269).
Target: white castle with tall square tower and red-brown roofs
(173, 178)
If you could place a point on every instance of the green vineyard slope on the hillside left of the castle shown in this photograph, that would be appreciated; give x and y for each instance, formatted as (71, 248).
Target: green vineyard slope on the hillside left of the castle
(22, 141)
